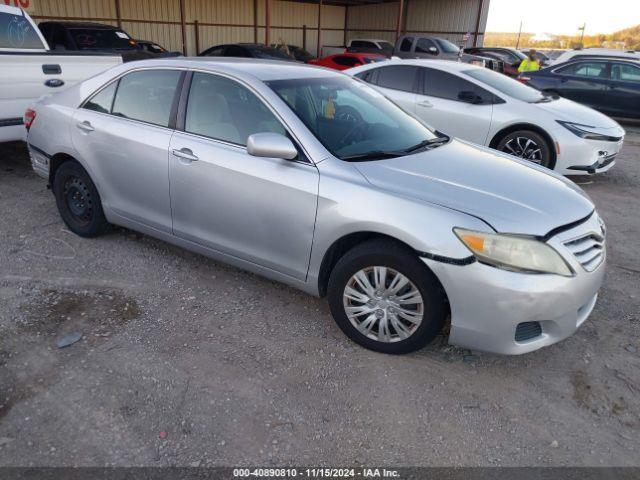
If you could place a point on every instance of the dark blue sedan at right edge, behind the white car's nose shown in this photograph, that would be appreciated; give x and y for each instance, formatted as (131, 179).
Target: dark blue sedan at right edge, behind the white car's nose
(609, 85)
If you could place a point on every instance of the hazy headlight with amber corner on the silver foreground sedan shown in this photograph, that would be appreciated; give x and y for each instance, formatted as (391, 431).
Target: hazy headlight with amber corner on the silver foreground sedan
(520, 254)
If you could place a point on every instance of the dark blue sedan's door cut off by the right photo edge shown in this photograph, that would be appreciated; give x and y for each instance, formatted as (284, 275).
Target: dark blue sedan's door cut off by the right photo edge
(624, 89)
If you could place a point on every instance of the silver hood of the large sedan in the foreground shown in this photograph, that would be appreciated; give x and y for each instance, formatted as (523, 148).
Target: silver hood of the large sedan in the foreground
(507, 193)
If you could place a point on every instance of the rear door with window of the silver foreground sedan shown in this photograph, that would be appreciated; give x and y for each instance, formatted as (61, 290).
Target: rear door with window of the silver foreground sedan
(123, 133)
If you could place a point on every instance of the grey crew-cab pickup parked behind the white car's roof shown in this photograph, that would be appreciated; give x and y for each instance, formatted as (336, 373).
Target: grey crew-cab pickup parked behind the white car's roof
(417, 46)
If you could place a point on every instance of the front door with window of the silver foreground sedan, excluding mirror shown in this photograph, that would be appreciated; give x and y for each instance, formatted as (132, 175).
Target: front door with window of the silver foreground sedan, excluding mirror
(260, 210)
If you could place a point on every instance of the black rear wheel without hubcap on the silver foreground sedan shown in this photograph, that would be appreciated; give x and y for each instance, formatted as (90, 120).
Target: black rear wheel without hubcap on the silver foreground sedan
(78, 200)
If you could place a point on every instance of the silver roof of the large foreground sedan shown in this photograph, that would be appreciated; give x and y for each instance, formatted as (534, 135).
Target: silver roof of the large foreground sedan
(264, 70)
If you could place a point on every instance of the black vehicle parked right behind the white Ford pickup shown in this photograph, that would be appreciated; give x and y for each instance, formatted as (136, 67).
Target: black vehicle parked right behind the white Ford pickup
(93, 37)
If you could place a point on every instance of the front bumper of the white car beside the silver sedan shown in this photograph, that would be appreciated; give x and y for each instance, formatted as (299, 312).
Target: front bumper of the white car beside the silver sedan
(578, 156)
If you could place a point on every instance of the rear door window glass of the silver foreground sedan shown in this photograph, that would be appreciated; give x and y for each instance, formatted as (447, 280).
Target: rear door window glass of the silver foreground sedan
(147, 96)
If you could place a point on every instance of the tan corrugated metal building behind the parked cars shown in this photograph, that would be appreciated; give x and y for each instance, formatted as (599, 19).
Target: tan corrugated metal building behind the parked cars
(193, 25)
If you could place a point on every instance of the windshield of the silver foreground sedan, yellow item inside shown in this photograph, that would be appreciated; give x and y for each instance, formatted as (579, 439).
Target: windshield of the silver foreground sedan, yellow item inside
(352, 120)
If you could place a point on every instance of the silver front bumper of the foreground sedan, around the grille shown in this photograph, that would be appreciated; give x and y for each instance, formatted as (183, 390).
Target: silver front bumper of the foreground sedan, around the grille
(487, 303)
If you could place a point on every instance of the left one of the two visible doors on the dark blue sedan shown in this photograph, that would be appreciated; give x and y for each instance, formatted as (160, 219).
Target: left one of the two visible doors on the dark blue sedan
(585, 81)
